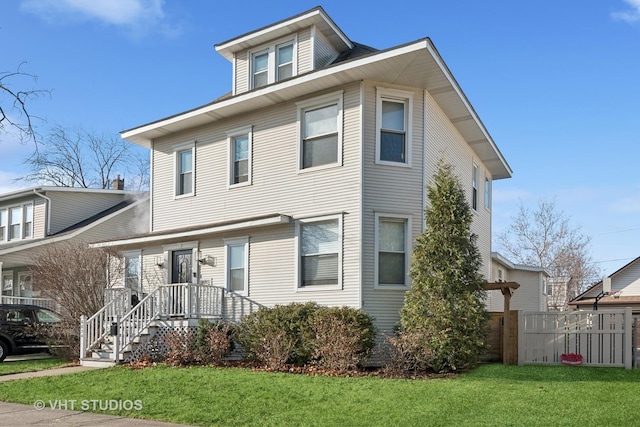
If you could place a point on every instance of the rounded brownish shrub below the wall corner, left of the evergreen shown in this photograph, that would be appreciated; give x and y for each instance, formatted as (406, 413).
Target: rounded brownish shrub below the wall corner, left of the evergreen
(344, 337)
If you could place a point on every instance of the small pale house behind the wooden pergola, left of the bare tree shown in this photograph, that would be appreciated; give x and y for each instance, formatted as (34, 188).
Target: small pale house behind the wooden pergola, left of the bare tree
(530, 296)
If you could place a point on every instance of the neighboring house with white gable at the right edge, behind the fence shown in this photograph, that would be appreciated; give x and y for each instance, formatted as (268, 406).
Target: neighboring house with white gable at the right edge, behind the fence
(619, 290)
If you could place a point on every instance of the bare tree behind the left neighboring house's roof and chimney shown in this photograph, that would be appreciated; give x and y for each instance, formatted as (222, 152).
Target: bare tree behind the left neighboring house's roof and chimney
(77, 158)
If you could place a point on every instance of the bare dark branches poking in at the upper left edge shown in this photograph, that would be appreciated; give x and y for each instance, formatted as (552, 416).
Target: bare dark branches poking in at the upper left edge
(14, 112)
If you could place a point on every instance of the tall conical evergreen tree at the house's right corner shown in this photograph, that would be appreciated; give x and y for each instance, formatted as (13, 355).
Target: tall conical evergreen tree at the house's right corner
(444, 307)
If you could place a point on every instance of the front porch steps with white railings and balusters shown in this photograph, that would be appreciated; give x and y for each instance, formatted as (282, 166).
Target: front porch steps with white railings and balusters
(113, 332)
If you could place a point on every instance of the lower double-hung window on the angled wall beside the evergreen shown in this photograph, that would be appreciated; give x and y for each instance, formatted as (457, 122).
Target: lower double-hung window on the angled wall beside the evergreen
(393, 250)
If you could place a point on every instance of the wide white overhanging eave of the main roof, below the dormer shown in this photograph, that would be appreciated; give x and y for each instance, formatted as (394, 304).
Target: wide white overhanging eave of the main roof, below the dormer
(443, 87)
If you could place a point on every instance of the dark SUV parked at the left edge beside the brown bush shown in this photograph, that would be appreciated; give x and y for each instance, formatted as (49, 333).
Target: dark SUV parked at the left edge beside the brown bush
(18, 326)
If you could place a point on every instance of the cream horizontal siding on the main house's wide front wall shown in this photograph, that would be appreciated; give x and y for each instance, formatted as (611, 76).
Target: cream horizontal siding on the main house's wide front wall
(276, 187)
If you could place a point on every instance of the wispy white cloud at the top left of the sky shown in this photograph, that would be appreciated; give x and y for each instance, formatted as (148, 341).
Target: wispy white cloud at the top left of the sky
(136, 15)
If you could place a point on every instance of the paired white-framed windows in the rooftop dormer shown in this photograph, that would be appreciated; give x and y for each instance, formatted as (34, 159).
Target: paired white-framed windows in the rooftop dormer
(273, 63)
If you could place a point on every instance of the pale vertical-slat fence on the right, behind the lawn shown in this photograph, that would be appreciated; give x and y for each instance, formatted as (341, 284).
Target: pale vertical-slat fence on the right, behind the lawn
(602, 337)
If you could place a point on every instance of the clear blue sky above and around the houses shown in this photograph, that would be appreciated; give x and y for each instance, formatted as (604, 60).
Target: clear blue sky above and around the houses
(556, 82)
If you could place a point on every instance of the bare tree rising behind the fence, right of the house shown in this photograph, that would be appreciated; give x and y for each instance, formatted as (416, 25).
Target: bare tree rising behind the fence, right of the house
(546, 238)
